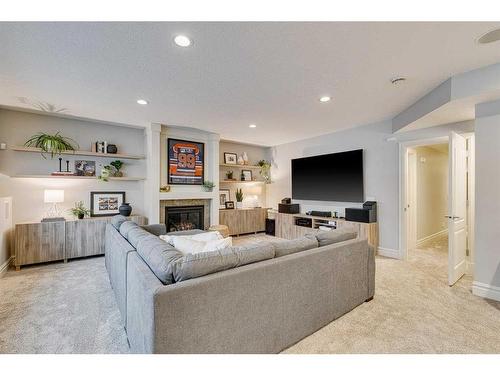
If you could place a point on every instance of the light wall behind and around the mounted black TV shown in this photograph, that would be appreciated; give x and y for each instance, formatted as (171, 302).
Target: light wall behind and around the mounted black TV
(381, 160)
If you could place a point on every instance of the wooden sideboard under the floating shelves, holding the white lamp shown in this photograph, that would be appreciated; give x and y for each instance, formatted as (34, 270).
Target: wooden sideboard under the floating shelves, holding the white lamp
(61, 240)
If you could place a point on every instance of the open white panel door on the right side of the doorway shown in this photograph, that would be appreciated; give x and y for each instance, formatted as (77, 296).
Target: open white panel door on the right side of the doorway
(457, 208)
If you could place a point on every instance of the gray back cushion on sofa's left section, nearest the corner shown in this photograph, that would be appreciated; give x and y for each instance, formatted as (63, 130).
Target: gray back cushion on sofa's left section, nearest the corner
(159, 256)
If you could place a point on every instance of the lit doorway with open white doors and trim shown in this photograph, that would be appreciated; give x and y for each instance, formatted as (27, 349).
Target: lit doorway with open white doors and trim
(437, 209)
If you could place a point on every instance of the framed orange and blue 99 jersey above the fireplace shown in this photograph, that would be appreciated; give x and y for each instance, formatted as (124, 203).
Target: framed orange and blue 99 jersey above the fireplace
(186, 162)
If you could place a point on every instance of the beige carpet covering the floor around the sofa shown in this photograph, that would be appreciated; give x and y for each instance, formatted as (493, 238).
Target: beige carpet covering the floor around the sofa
(69, 308)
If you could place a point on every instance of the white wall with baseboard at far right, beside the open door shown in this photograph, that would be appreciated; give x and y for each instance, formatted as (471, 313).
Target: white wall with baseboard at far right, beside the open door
(487, 228)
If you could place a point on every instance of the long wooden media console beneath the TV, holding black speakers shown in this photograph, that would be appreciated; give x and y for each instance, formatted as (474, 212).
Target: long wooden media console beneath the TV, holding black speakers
(286, 227)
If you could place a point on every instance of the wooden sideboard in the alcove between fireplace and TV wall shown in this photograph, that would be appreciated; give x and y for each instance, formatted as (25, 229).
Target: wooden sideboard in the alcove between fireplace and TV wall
(244, 220)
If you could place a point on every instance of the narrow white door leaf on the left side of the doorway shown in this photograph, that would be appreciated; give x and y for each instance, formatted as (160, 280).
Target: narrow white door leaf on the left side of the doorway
(411, 196)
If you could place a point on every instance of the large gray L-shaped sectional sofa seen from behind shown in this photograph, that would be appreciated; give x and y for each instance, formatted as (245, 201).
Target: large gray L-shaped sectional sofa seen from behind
(261, 298)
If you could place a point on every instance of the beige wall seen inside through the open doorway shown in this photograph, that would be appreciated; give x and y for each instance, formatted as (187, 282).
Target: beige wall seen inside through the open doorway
(432, 191)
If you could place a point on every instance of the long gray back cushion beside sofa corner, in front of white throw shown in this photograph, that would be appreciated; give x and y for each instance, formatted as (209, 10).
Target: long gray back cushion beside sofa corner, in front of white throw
(191, 266)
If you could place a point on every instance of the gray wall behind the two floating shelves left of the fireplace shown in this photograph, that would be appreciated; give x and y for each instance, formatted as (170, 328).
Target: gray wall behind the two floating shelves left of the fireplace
(16, 127)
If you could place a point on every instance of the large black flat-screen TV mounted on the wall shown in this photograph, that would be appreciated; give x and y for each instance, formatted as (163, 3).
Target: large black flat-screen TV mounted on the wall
(333, 177)
